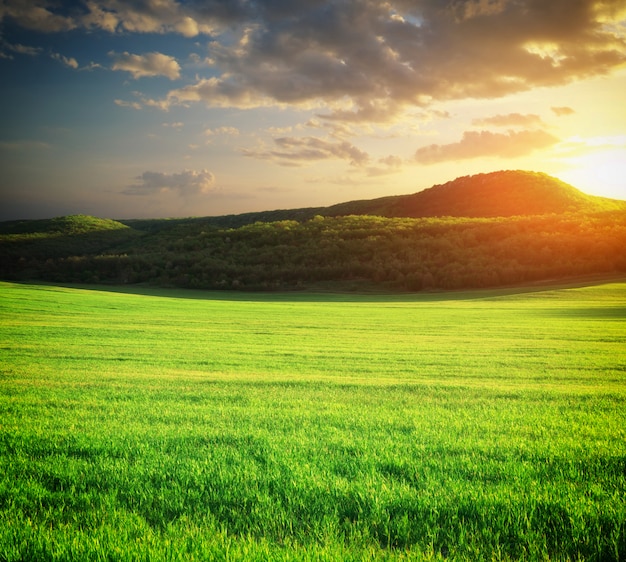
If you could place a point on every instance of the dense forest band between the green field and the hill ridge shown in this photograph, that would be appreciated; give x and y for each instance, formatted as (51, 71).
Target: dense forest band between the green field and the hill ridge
(344, 252)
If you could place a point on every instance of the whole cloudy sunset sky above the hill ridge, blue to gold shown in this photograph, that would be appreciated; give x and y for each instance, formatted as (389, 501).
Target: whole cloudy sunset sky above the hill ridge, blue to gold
(176, 108)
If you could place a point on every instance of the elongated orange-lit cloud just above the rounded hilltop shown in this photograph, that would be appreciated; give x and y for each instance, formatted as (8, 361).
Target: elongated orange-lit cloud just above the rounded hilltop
(486, 144)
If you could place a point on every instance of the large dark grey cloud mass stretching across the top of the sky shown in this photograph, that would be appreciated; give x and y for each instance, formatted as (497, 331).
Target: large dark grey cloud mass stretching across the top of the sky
(364, 59)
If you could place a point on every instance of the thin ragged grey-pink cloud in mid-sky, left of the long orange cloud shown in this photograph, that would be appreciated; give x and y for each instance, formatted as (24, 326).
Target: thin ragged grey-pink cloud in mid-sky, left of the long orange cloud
(295, 151)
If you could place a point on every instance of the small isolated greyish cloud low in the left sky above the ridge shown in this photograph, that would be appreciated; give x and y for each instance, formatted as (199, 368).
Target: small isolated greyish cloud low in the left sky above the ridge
(186, 183)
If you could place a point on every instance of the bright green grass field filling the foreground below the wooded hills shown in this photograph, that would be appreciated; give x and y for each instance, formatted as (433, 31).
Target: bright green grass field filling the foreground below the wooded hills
(198, 426)
